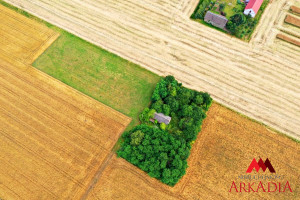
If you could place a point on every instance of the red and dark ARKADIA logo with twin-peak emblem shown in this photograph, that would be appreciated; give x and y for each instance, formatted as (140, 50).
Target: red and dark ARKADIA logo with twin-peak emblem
(261, 183)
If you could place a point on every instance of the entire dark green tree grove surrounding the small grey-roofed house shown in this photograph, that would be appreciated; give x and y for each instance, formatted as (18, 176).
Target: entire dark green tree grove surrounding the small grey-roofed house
(162, 150)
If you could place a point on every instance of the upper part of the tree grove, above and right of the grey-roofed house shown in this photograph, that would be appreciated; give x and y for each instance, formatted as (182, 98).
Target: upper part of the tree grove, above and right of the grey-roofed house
(186, 107)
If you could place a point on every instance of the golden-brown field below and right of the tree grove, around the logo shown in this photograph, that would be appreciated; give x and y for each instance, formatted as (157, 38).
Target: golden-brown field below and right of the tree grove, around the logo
(223, 151)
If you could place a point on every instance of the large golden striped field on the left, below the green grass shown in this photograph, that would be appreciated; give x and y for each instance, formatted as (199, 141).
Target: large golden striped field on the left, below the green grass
(53, 139)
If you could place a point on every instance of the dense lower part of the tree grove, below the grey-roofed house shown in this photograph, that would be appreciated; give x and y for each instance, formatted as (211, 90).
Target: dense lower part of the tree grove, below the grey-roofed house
(156, 152)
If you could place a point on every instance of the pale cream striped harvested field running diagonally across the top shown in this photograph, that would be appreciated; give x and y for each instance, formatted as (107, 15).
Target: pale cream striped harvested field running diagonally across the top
(253, 78)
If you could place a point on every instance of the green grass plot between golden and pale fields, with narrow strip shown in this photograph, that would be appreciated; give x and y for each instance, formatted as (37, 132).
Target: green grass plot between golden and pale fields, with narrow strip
(104, 76)
